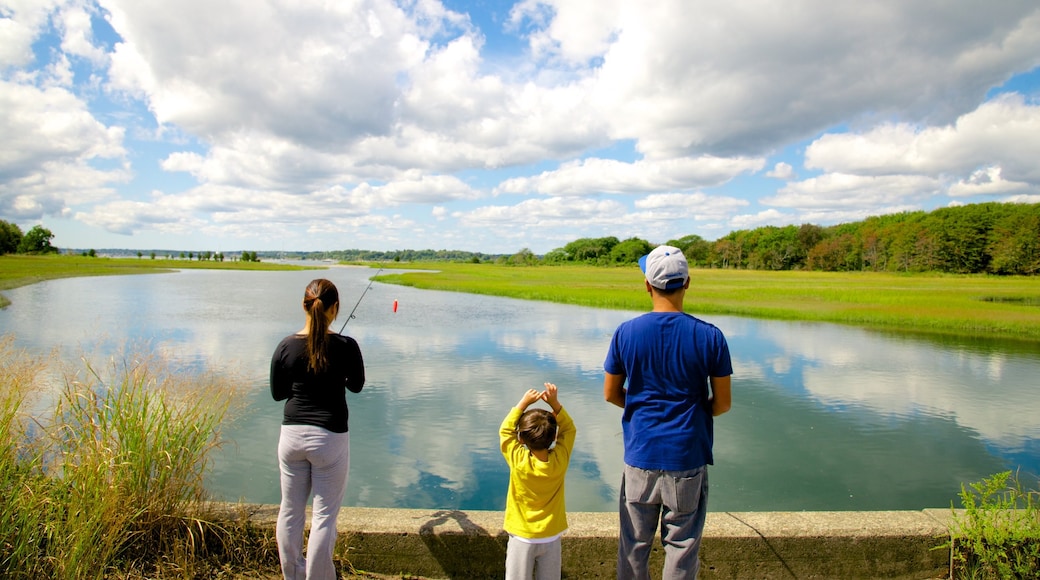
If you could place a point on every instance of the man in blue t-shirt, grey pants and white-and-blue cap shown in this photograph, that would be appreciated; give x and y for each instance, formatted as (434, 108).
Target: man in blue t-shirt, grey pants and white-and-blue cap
(679, 373)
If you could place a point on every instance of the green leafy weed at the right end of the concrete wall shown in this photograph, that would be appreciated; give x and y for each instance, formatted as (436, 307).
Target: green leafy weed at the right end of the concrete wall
(998, 535)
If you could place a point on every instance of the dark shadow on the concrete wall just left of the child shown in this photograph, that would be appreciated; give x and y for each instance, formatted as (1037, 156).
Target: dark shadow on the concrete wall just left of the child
(467, 552)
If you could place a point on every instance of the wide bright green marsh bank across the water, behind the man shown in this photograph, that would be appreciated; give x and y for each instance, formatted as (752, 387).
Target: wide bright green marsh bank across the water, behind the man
(976, 306)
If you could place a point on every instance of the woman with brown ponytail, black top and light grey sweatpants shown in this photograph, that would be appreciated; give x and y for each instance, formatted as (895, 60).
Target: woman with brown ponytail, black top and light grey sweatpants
(311, 372)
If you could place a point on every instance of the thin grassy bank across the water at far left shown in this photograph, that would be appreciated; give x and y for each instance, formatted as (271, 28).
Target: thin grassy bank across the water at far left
(23, 271)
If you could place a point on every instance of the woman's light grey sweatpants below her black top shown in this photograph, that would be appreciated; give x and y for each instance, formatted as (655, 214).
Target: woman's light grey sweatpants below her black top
(313, 461)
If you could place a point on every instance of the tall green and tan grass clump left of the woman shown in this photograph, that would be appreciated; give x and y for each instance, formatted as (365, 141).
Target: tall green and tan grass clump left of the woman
(110, 482)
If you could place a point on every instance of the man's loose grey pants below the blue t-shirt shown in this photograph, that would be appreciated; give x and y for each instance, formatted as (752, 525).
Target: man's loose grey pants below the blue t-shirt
(679, 500)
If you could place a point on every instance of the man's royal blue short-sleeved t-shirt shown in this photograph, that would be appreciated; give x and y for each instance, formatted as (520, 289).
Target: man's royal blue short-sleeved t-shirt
(668, 358)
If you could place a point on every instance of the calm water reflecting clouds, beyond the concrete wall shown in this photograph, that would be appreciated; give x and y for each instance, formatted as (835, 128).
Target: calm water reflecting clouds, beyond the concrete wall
(824, 417)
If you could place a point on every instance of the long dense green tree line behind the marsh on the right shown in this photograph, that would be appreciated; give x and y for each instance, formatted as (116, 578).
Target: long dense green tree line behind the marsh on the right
(980, 239)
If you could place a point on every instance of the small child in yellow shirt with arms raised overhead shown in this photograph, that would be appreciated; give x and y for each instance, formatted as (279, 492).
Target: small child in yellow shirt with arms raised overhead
(536, 515)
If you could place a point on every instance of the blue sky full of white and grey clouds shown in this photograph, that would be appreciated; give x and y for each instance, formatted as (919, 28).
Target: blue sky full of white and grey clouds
(493, 127)
